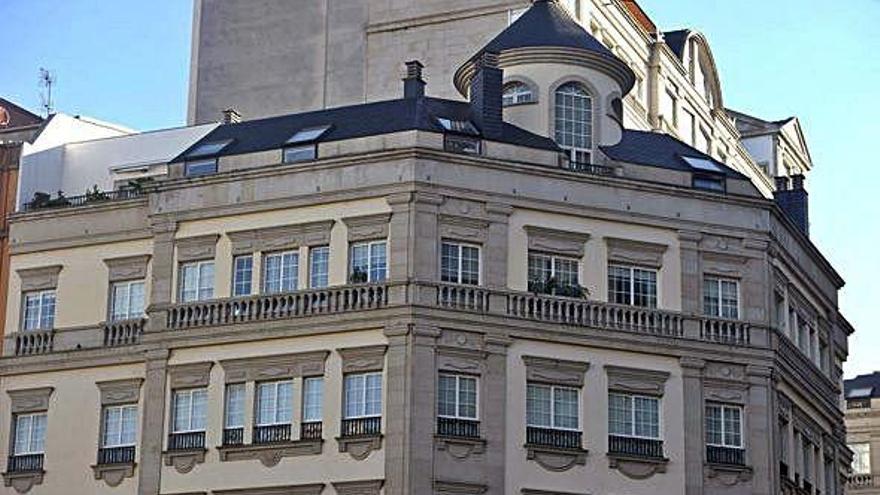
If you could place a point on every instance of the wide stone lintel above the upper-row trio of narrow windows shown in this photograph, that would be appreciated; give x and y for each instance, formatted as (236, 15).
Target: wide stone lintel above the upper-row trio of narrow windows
(279, 238)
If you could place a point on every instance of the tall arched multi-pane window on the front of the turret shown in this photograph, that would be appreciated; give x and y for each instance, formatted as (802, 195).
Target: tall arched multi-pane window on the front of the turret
(573, 117)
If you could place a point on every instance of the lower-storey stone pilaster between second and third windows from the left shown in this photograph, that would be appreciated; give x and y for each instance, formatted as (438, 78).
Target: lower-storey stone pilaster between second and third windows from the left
(153, 423)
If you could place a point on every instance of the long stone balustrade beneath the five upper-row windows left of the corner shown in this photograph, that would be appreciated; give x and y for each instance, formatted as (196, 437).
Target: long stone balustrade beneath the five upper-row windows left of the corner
(277, 306)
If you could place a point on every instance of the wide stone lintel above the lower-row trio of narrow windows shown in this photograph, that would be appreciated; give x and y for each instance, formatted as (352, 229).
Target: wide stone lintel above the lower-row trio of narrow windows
(274, 367)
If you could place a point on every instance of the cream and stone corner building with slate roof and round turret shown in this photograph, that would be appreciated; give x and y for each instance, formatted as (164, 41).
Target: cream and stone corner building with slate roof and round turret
(513, 293)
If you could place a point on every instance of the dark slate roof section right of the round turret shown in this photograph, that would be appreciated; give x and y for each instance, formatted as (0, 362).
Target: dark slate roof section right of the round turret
(661, 150)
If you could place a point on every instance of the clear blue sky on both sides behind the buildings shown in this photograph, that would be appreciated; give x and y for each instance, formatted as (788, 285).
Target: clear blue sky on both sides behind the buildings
(127, 62)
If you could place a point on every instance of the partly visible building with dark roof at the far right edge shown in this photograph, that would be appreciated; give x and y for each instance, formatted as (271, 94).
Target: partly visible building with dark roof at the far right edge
(863, 432)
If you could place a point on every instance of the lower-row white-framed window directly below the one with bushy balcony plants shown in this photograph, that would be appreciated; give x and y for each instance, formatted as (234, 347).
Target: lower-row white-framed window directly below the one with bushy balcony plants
(550, 406)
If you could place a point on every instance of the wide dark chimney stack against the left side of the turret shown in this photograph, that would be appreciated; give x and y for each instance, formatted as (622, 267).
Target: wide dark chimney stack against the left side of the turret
(485, 93)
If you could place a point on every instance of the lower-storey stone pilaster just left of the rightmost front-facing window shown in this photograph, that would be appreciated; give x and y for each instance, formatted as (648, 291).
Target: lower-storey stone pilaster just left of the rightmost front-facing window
(694, 443)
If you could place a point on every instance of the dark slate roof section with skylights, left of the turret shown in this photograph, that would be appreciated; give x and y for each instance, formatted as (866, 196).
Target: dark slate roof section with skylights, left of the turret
(356, 121)
